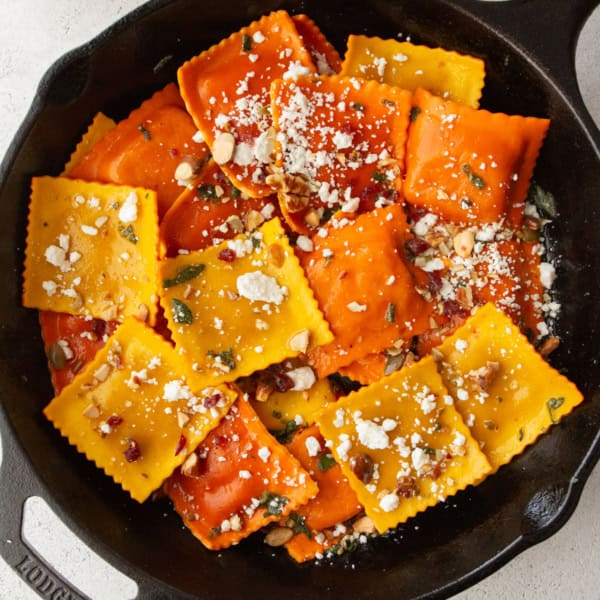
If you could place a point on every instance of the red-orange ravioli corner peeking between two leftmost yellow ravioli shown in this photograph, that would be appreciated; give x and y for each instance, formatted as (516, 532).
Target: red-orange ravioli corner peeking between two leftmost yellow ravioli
(71, 341)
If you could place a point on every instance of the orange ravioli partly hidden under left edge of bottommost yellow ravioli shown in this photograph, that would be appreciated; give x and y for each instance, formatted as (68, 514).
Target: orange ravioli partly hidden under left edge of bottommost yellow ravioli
(336, 502)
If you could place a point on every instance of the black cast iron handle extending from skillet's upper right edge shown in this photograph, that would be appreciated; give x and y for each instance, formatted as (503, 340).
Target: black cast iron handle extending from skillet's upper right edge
(546, 31)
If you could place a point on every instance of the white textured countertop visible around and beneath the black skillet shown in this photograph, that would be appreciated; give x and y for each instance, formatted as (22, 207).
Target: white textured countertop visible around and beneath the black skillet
(33, 33)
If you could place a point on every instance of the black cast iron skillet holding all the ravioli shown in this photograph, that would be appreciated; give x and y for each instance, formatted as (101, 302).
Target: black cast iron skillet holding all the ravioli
(528, 46)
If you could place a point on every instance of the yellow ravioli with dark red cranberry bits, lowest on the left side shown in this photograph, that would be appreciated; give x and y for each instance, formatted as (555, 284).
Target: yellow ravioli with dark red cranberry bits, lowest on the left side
(136, 411)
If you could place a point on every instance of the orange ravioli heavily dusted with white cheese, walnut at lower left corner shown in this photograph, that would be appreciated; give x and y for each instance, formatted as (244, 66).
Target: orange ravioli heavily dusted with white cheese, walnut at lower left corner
(340, 145)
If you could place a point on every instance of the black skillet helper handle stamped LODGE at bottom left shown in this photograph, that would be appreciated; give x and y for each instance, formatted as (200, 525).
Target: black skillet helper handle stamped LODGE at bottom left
(17, 483)
